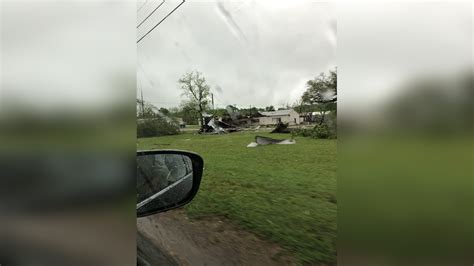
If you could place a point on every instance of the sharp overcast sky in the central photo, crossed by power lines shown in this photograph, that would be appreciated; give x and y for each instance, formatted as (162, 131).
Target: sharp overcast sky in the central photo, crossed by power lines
(256, 53)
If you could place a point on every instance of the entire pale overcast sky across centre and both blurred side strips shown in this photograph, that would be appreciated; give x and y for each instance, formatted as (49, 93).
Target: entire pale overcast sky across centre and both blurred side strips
(83, 53)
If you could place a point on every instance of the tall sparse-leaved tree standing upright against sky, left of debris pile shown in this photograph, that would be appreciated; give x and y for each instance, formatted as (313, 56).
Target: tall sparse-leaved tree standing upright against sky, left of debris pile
(195, 88)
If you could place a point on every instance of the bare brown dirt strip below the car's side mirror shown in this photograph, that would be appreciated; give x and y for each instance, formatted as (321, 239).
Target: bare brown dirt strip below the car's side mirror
(208, 241)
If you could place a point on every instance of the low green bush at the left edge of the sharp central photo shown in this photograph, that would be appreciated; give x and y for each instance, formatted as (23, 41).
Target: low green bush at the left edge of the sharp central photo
(155, 127)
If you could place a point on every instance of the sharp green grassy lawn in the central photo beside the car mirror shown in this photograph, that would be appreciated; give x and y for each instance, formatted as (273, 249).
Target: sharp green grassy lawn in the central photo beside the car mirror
(284, 193)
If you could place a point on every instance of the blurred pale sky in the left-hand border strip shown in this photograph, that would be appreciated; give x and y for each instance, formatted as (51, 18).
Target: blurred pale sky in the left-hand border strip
(67, 55)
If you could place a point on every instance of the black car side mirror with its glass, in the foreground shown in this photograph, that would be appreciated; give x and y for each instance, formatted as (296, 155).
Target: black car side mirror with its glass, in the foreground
(166, 180)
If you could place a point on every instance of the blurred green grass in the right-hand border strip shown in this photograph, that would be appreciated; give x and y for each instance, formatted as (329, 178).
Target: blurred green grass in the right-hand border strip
(407, 197)
